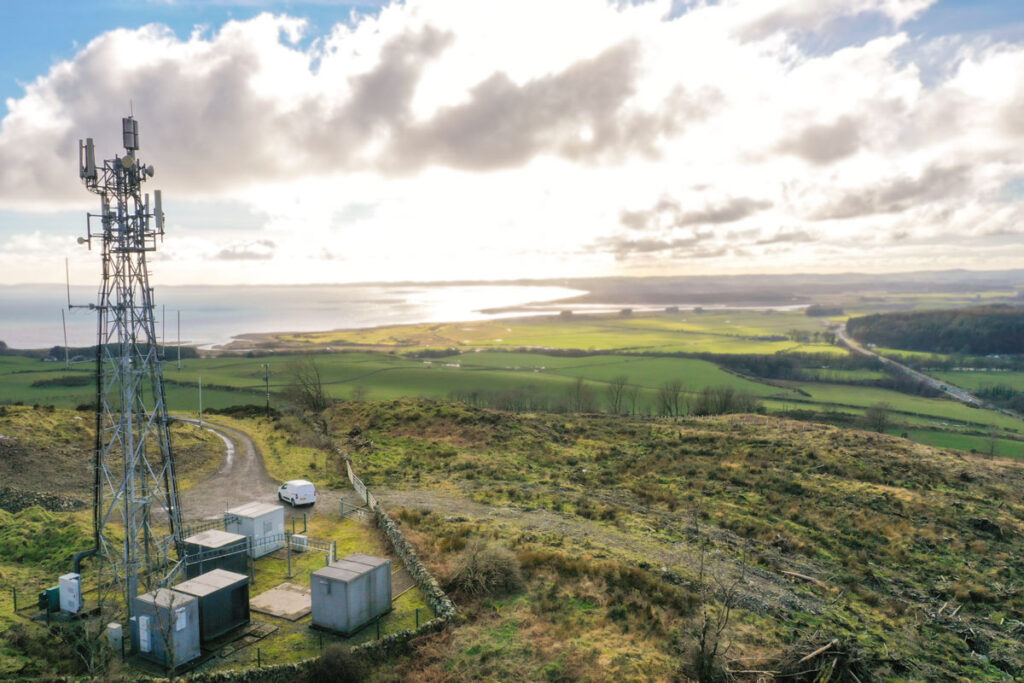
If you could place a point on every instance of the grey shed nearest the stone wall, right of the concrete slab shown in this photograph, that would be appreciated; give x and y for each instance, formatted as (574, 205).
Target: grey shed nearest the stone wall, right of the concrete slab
(347, 595)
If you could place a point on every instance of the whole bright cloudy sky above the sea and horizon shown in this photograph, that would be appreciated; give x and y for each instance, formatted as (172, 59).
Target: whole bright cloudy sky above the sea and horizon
(324, 142)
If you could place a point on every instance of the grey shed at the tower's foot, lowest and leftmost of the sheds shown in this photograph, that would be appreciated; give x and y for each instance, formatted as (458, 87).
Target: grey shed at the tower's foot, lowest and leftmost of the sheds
(165, 627)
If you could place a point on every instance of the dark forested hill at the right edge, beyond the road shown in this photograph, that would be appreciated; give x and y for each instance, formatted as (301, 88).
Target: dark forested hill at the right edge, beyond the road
(978, 331)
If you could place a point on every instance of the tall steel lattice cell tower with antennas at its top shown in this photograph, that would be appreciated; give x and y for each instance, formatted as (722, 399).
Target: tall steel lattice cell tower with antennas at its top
(137, 515)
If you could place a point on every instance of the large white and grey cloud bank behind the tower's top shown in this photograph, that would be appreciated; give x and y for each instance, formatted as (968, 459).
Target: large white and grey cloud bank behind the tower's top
(247, 106)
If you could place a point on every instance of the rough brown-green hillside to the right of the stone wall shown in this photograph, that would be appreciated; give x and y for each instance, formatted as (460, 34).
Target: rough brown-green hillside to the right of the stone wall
(904, 556)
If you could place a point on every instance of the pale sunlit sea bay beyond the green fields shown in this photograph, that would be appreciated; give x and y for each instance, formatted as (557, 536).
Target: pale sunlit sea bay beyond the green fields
(31, 315)
